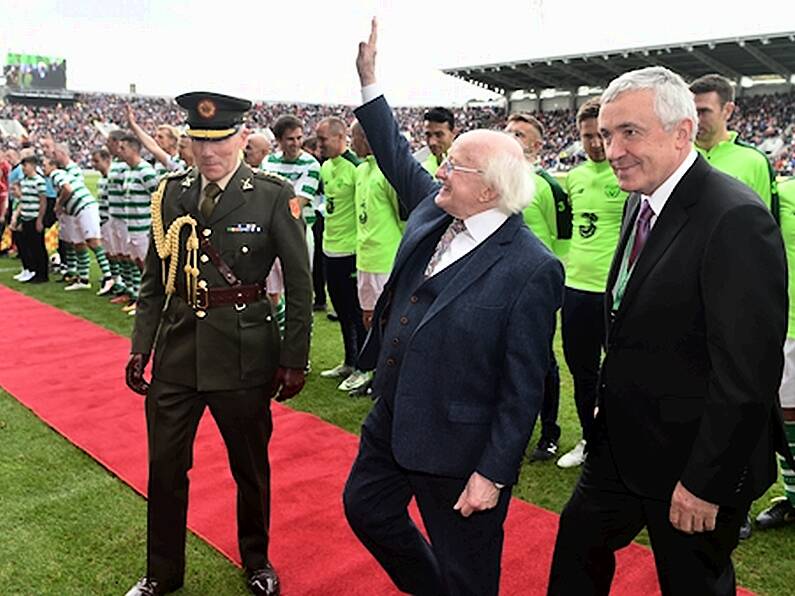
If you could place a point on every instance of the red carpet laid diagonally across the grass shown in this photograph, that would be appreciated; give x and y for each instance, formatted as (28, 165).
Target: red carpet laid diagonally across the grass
(312, 547)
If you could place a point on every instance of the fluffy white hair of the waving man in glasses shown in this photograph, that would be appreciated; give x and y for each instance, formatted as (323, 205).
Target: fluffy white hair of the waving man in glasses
(511, 178)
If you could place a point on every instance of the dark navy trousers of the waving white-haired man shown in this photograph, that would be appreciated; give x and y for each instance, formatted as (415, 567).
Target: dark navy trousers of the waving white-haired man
(463, 555)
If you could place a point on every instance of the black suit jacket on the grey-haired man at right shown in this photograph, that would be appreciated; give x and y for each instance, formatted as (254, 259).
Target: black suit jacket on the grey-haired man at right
(689, 384)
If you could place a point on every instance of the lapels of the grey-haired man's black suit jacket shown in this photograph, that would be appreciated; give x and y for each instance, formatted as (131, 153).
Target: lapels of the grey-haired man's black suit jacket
(668, 225)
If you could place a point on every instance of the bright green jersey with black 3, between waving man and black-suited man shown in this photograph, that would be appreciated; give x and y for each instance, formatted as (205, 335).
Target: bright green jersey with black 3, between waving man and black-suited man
(597, 205)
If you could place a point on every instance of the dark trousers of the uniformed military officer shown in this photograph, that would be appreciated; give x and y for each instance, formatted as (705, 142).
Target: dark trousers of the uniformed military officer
(172, 417)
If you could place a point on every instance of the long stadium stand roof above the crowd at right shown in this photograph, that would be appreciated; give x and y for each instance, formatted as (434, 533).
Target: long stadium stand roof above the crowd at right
(756, 55)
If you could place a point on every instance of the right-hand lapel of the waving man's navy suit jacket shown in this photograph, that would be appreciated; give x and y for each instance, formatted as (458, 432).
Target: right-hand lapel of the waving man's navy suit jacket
(484, 257)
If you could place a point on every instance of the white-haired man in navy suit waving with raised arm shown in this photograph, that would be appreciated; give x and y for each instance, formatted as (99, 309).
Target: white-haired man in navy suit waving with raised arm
(460, 344)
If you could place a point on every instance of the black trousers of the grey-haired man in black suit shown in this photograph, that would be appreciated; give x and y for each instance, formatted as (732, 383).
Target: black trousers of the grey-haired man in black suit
(603, 516)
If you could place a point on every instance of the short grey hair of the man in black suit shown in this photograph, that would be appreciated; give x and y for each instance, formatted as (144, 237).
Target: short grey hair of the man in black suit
(673, 100)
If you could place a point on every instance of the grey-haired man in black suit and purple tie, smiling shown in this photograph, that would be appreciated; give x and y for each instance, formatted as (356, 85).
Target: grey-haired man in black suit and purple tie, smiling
(688, 416)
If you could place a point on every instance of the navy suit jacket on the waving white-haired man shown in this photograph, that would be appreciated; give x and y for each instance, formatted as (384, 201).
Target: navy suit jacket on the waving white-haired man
(471, 381)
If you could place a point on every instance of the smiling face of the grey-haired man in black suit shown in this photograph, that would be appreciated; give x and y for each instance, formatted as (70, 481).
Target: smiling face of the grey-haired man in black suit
(641, 152)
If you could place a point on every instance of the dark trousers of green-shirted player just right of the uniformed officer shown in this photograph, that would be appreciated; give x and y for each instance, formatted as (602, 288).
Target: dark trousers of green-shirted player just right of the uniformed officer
(341, 279)
